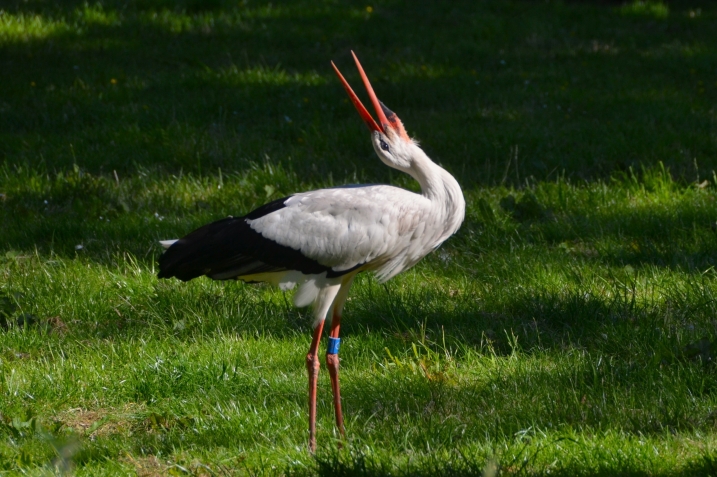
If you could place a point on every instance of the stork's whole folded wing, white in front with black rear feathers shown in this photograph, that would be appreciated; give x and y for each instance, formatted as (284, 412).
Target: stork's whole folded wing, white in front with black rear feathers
(328, 230)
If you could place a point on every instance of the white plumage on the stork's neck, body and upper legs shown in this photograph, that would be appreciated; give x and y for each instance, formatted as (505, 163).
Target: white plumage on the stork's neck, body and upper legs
(377, 227)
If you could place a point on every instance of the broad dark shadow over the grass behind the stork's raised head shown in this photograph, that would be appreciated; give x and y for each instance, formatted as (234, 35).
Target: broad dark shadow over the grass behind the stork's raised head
(194, 86)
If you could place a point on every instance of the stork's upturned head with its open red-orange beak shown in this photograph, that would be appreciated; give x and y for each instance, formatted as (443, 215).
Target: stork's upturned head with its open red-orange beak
(392, 144)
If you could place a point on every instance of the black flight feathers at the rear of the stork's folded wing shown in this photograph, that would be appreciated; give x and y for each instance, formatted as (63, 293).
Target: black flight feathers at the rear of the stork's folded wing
(230, 248)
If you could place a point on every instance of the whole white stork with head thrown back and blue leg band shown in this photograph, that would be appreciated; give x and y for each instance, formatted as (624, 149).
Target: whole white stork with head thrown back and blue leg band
(320, 240)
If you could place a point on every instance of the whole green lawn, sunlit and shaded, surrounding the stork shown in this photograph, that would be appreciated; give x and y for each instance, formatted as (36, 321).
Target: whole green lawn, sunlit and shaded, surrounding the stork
(567, 329)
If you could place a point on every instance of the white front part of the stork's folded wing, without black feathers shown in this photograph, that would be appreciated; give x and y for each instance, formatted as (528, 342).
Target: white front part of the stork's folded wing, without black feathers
(346, 227)
